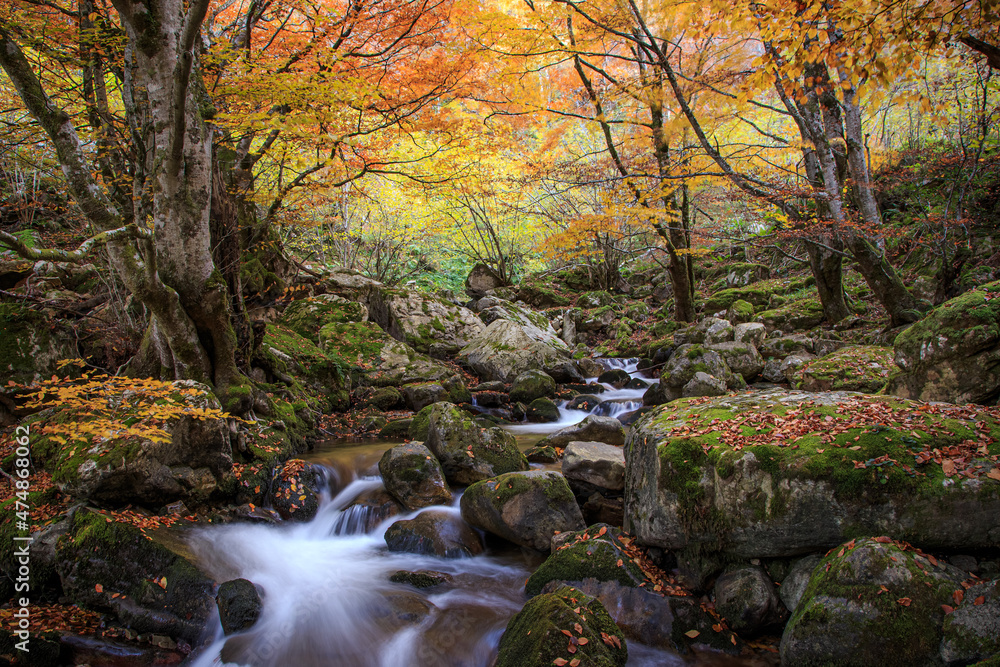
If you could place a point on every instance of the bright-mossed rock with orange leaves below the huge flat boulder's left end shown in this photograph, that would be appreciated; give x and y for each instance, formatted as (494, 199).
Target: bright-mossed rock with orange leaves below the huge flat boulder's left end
(597, 552)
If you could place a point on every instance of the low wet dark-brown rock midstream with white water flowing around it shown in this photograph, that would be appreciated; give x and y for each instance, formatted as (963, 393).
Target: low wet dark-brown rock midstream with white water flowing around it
(434, 533)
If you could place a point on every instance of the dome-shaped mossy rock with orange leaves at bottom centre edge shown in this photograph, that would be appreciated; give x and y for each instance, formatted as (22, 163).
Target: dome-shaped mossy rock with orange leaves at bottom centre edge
(536, 636)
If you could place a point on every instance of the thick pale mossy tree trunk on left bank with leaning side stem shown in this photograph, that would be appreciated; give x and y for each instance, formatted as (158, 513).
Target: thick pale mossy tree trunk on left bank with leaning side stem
(169, 268)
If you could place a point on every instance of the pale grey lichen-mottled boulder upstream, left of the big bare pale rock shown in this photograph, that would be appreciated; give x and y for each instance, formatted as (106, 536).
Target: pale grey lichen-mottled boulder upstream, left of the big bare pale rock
(425, 322)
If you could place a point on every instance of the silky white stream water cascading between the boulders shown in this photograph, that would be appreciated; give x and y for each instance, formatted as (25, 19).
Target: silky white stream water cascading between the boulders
(327, 597)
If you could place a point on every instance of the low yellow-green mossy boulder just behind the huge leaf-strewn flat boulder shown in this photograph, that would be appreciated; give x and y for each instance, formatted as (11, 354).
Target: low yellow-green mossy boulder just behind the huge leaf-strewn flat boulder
(863, 368)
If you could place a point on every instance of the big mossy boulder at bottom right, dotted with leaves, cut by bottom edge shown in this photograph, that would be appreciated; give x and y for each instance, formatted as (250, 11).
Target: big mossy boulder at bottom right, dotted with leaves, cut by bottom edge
(871, 601)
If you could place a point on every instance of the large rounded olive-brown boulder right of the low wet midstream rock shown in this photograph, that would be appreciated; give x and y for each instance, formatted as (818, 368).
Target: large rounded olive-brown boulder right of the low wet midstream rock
(526, 508)
